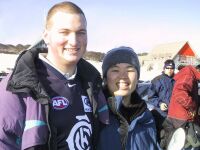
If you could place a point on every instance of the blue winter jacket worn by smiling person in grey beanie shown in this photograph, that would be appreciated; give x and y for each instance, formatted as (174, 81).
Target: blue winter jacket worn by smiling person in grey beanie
(136, 133)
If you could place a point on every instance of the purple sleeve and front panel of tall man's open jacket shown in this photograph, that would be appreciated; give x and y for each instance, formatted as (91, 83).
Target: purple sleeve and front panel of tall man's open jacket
(22, 123)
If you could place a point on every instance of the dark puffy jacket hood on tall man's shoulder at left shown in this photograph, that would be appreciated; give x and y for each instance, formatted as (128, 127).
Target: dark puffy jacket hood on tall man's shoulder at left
(24, 76)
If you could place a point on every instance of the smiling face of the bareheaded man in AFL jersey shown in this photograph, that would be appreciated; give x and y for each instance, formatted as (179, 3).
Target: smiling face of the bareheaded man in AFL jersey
(66, 38)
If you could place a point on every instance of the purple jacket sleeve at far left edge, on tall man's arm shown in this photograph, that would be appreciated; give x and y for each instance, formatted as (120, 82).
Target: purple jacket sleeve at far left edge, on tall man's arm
(11, 119)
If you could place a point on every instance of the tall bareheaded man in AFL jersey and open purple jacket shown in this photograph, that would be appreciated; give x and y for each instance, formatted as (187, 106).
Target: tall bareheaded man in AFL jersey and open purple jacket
(53, 102)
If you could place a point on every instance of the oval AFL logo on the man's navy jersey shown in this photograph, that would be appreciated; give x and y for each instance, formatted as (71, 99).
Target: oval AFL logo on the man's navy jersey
(59, 102)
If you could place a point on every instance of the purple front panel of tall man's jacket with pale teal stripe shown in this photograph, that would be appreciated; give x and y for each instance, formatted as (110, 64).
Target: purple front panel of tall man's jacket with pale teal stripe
(35, 131)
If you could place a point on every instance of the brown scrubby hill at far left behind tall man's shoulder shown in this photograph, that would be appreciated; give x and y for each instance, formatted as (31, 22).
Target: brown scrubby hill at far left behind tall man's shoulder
(12, 49)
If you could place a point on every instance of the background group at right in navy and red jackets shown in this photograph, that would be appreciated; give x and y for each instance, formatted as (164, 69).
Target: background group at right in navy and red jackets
(175, 98)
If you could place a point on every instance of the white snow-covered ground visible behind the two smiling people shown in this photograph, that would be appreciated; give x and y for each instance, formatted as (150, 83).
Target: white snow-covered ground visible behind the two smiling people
(7, 62)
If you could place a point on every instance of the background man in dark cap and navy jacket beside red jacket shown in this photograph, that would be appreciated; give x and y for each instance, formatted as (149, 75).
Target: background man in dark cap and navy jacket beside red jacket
(160, 91)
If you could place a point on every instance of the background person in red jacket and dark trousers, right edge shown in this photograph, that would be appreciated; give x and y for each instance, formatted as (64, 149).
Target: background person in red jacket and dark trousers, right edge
(184, 104)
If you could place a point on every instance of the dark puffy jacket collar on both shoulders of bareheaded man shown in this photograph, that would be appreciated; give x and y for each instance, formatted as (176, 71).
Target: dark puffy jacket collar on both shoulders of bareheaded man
(24, 76)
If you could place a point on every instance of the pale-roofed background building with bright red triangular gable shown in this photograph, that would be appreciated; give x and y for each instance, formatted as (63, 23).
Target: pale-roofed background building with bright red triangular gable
(180, 52)
